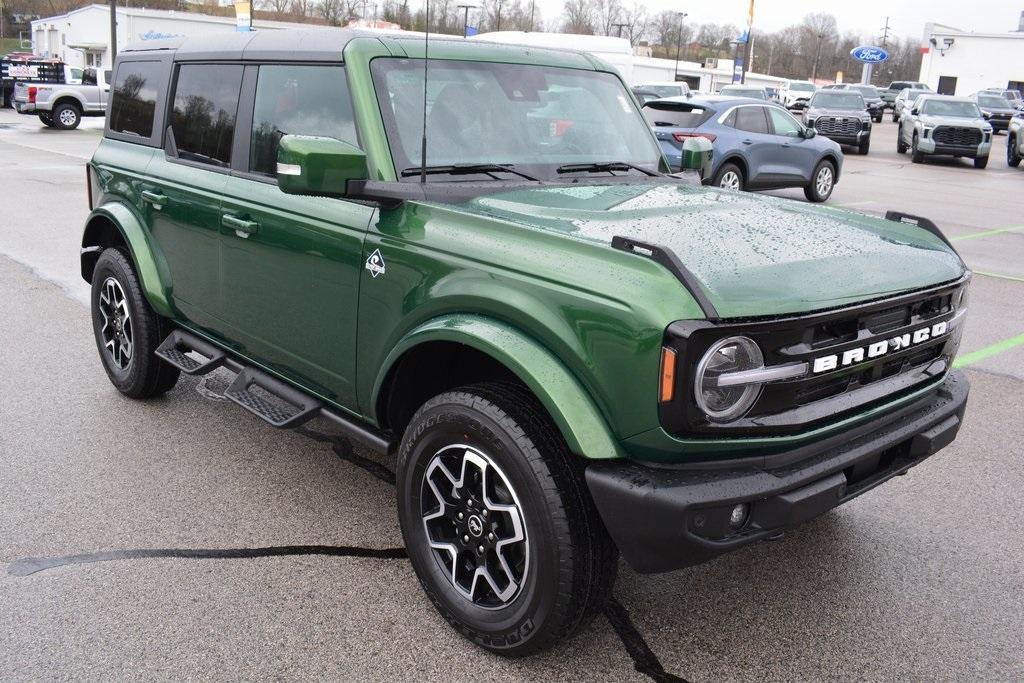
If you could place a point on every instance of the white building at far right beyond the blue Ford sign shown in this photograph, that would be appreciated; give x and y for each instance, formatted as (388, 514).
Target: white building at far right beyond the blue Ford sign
(961, 63)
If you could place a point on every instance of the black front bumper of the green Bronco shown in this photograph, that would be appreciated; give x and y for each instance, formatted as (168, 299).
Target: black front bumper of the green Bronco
(666, 519)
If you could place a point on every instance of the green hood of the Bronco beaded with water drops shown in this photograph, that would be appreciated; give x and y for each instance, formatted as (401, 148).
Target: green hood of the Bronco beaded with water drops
(754, 255)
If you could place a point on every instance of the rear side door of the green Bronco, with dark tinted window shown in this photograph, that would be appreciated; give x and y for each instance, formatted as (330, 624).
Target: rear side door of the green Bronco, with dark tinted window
(186, 184)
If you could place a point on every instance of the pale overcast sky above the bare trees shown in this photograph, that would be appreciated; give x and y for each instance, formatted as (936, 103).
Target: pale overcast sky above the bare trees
(908, 18)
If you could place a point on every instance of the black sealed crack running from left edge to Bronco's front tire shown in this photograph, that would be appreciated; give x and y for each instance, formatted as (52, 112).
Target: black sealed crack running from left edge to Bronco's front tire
(30, 566)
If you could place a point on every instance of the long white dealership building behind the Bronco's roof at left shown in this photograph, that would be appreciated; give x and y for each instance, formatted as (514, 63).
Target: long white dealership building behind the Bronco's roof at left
(81, 38)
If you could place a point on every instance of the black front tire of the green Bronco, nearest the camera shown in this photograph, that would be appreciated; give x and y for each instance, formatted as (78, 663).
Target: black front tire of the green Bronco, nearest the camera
(572, 562)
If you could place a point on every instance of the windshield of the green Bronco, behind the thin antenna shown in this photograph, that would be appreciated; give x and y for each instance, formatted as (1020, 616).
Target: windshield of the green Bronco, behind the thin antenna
(535, 118)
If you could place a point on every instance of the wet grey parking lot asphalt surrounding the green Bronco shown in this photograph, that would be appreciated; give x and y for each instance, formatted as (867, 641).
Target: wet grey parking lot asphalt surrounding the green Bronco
(195, 503)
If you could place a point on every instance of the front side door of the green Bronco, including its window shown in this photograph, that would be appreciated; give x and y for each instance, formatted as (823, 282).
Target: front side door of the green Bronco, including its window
(291, 265)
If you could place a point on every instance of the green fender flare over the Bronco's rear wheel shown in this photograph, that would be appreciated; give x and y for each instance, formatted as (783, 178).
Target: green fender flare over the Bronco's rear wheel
(150, 265)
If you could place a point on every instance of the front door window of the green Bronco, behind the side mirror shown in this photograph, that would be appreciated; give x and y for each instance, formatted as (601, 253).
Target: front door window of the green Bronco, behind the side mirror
(298, 101)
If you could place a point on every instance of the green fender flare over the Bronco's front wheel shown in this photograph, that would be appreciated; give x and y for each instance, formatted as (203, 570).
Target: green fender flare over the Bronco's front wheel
(560, 392)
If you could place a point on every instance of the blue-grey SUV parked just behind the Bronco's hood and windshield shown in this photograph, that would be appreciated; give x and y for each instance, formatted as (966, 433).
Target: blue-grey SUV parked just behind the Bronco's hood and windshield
(756, 147)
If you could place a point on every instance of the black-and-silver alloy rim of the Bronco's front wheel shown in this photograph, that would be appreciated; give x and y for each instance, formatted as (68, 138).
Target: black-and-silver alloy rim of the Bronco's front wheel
(475, 526)
